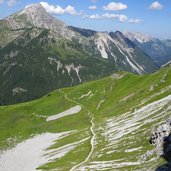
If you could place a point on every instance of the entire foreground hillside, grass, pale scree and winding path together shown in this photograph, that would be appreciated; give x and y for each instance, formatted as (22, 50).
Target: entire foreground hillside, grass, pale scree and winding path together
(120, 122)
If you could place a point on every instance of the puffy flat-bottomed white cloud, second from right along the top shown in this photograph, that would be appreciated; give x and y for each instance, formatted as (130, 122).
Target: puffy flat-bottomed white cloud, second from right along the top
(113, 6)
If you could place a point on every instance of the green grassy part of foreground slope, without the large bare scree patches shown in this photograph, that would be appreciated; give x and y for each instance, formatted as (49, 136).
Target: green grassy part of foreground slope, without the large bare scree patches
(107, 101)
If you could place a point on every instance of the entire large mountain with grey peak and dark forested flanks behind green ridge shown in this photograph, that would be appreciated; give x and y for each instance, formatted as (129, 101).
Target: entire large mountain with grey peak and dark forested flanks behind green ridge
(39, 53)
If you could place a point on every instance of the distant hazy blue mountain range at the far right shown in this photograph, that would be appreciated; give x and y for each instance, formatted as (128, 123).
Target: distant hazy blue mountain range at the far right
(158, 50)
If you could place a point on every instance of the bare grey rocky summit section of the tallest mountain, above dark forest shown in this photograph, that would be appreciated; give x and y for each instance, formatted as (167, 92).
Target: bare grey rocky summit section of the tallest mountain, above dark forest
(34, 16)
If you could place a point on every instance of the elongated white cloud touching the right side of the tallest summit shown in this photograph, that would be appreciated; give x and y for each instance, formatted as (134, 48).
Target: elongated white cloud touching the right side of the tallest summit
(58, 10)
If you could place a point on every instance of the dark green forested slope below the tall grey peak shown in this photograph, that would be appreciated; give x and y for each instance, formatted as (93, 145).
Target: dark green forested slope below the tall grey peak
(39, 63)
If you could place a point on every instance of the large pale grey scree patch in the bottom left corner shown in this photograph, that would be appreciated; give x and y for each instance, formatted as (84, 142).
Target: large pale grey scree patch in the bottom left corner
(30, 154)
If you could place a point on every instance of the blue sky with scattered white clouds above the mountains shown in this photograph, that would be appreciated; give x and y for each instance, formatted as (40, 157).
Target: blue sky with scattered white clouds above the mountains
(146, 16)
